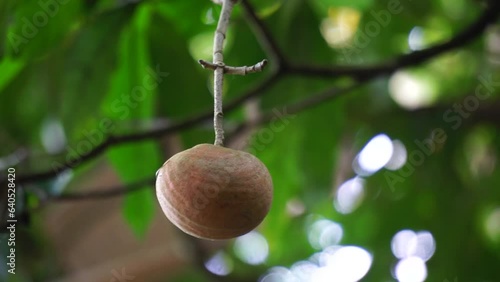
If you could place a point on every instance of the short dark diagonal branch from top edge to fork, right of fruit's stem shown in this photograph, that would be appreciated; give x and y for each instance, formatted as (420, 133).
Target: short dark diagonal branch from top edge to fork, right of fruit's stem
(265, 37)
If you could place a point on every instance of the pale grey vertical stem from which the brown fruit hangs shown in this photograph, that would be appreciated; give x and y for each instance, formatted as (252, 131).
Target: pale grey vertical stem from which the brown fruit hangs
(218, 60)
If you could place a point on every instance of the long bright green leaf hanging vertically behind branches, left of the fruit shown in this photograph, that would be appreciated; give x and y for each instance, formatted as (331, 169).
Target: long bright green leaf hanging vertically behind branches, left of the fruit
(130, 100)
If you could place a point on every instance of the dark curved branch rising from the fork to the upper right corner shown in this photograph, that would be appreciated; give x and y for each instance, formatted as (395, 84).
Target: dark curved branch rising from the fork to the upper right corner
(470, 33)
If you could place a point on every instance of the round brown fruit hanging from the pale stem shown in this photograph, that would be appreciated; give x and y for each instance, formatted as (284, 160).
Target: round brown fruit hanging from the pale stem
(212, 192)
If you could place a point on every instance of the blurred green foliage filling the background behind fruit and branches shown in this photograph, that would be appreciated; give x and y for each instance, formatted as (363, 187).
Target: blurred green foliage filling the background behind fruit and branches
(73, 72)
